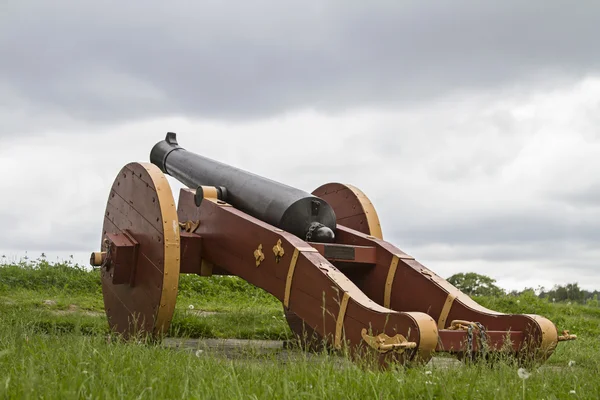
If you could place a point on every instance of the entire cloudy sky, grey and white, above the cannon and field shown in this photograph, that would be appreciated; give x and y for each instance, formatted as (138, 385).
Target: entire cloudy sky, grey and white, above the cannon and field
(473, 126)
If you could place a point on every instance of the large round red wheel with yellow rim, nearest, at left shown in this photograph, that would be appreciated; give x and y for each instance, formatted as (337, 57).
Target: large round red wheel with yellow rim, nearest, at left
(141, 206)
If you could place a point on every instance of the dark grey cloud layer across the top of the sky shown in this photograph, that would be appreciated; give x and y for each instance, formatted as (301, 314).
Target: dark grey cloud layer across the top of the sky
(111, 61)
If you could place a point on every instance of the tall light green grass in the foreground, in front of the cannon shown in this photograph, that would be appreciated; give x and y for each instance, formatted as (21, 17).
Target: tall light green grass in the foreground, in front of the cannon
(59, 365)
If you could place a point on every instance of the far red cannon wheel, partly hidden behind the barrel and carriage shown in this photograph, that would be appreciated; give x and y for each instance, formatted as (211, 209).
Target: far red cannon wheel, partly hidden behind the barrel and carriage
(354, 210)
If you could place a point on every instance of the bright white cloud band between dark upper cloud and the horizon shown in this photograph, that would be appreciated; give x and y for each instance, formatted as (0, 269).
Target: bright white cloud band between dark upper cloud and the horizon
(459, 184)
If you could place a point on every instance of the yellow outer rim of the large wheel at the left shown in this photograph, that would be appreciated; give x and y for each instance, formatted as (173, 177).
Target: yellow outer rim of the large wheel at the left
(172, 244)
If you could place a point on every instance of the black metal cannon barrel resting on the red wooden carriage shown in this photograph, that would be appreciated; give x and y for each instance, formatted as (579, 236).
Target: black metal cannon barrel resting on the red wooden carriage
(293, 210)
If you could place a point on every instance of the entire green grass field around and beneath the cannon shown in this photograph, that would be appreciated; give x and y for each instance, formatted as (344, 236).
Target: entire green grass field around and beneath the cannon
(54, 344)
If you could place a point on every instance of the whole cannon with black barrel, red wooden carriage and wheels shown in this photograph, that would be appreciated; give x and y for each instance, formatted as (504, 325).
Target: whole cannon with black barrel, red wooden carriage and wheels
(322, 254)
